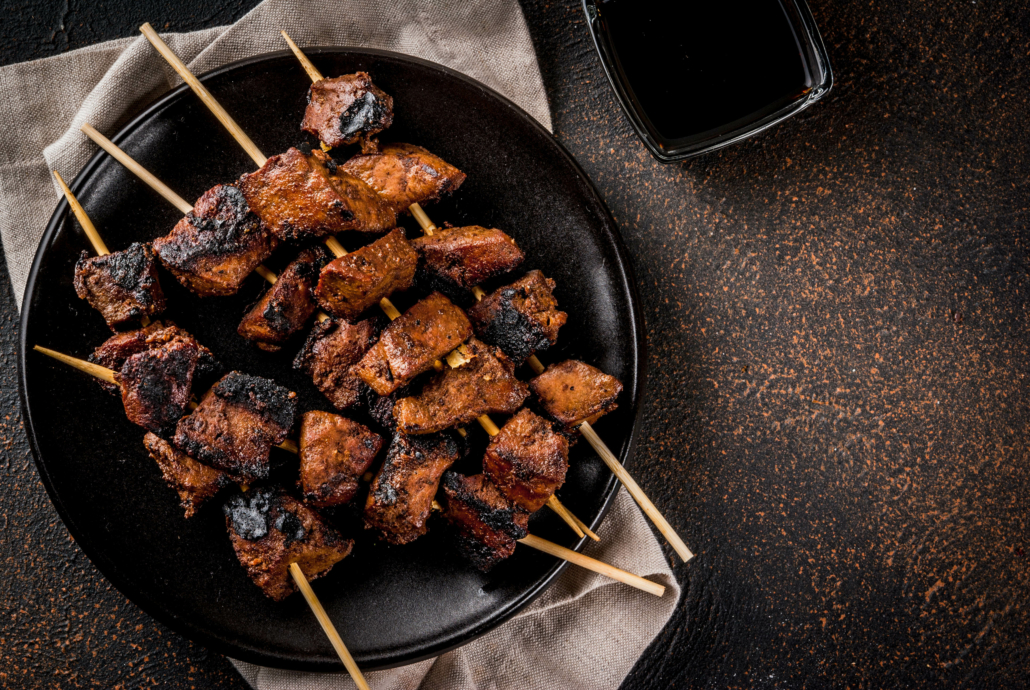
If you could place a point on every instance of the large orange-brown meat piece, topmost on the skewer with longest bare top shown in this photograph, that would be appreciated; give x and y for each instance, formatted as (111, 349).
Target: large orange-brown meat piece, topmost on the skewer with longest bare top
(302, 197)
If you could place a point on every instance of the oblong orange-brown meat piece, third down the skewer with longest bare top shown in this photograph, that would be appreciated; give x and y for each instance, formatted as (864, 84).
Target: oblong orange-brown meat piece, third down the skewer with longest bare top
(410, 346)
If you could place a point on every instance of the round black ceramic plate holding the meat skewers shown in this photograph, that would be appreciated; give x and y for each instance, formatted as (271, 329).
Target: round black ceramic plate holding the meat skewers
(393, 605)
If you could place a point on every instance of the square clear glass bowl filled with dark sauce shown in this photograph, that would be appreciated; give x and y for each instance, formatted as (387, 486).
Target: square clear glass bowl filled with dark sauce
(695, 78)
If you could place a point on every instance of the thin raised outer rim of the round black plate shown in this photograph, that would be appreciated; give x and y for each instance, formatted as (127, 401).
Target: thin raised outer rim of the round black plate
(329, 664)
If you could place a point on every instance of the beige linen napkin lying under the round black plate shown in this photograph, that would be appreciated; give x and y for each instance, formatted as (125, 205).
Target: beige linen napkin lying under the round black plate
(587, 632)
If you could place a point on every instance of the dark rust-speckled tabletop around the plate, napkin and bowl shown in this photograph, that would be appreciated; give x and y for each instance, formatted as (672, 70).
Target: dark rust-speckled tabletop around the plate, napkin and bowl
(838, 322)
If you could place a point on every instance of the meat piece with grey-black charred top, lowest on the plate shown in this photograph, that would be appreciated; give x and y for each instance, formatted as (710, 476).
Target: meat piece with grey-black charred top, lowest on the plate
(270, 531)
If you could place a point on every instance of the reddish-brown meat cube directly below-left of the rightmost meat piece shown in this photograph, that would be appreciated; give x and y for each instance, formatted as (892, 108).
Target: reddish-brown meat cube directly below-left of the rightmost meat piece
(528, 461)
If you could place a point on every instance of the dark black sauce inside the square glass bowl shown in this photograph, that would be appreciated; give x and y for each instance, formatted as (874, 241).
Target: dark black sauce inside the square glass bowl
(697, 70)
